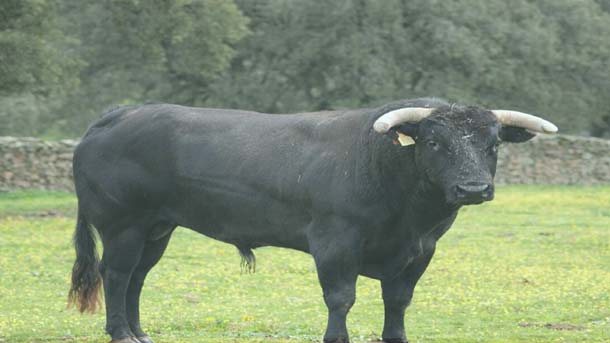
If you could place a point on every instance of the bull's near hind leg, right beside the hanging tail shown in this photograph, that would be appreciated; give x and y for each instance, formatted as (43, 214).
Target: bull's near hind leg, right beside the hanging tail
(122, 253)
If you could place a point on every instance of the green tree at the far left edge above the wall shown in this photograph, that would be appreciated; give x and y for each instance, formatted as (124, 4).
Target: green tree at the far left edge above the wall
(38, 65)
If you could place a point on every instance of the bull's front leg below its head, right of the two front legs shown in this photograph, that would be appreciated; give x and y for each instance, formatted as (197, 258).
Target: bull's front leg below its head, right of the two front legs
(397, 294)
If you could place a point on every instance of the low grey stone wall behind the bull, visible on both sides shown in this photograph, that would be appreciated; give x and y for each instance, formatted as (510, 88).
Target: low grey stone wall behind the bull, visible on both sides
(29, 163)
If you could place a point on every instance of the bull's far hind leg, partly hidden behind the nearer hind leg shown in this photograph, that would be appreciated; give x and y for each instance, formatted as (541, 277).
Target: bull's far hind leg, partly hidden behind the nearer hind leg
(153, 250)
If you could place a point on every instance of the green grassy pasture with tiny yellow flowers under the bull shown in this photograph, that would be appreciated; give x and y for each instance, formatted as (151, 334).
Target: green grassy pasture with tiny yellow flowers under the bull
(531, 266)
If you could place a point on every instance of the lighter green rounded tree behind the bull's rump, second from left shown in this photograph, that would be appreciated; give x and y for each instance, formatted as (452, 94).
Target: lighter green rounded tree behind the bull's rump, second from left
(139, 51)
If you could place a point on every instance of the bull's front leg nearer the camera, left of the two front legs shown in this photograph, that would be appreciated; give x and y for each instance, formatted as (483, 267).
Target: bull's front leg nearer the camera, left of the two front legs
(335, 249)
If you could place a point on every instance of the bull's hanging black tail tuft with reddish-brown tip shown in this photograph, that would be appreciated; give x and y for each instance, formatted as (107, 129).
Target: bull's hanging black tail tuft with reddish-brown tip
(86, 278)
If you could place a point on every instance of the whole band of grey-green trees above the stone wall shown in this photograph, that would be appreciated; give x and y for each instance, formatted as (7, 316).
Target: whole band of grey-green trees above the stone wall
(63, 62)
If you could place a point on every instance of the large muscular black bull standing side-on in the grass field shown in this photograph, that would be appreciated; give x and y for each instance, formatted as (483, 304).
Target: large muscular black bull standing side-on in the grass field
(323, 183)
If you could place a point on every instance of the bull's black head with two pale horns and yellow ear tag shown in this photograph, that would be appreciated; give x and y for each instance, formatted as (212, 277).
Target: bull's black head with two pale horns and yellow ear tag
(456, 147)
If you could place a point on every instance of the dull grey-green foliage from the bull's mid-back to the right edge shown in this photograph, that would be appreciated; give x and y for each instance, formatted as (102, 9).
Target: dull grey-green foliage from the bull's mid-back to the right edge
(547, 57)
